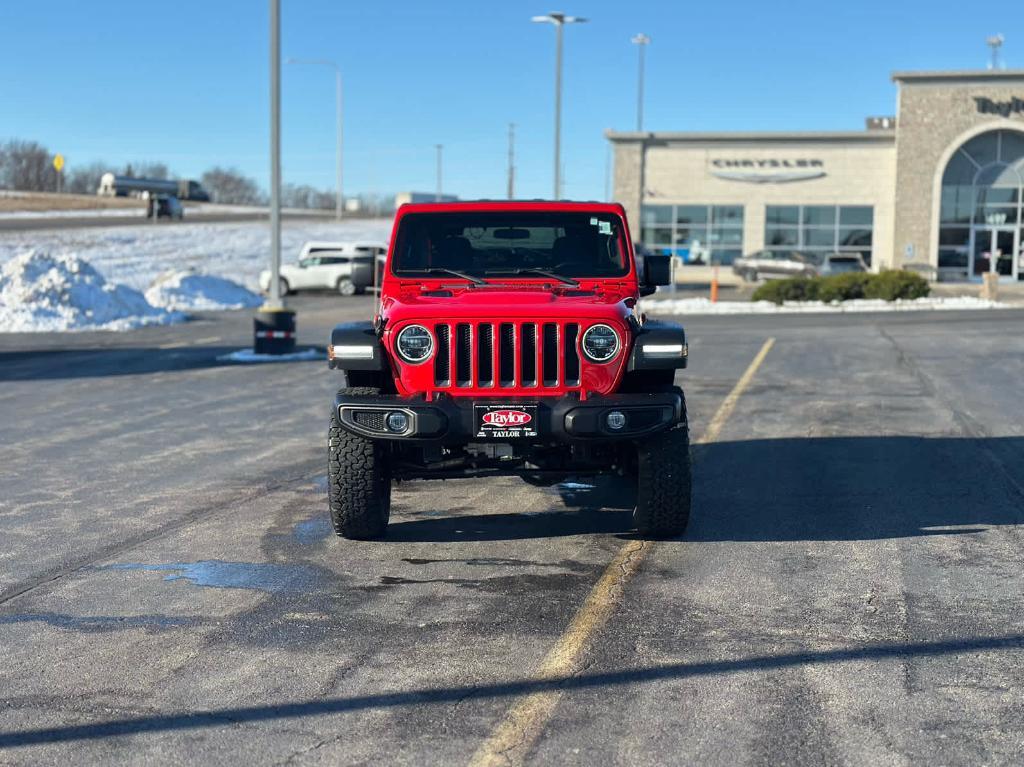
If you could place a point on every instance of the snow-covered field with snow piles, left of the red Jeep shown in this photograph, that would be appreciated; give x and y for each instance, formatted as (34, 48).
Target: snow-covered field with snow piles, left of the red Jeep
(96, 278)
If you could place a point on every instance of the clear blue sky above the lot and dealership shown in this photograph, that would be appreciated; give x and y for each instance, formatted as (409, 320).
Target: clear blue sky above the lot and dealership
(187, 82)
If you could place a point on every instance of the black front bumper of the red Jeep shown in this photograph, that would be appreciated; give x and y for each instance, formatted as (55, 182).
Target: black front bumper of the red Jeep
(451, 420)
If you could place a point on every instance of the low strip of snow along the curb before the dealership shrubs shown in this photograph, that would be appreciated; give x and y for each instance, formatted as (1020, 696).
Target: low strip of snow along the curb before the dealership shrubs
(705, 307)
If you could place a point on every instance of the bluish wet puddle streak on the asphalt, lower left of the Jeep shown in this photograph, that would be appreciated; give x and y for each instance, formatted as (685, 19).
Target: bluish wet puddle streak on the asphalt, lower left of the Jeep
(218, 574)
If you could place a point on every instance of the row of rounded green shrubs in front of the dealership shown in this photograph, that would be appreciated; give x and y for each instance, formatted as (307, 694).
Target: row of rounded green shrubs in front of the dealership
(887, 285)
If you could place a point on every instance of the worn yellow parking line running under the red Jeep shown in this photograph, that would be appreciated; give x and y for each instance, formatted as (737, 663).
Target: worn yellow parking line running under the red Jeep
(516, 735)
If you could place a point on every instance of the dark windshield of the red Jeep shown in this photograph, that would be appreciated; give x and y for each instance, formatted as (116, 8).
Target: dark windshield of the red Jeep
(511, 244)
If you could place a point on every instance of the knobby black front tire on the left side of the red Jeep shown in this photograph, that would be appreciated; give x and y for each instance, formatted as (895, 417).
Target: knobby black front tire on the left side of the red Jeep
(359, 481)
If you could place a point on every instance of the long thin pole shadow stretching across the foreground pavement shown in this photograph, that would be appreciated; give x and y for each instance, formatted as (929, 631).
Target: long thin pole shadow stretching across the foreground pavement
(286, 711)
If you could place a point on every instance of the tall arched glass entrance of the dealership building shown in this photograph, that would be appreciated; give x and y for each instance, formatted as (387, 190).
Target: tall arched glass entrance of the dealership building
(982, 225)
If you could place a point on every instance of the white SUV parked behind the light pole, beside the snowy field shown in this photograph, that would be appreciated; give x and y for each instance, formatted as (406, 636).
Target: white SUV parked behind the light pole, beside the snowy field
(347, 268)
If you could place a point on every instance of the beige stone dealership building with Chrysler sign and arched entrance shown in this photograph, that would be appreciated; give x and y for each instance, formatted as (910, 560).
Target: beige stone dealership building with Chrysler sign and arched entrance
(938, 188)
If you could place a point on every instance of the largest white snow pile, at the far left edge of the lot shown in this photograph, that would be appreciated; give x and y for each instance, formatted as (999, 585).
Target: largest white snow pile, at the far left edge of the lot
(41, 292)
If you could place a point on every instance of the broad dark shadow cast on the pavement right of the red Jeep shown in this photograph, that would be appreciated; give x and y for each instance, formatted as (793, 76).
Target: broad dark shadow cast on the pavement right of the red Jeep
(851, 489)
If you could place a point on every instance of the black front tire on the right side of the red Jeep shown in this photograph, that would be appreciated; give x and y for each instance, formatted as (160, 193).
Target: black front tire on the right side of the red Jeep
(664, 483)
